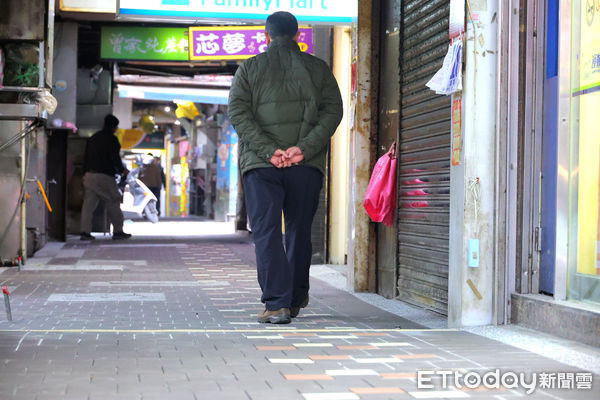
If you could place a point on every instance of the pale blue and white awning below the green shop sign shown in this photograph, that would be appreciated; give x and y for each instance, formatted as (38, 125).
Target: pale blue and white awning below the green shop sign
(206, 96)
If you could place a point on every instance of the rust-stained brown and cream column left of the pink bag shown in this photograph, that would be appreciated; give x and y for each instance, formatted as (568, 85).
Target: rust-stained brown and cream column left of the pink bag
(361, 244)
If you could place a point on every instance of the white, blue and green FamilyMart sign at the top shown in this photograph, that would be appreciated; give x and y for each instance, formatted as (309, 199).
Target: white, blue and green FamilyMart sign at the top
(324, 12)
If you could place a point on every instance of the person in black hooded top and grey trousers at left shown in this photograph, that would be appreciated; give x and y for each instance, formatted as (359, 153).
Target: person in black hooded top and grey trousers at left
(102, 163)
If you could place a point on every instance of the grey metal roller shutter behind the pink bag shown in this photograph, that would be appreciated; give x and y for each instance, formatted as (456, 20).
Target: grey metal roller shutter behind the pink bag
(424, 158)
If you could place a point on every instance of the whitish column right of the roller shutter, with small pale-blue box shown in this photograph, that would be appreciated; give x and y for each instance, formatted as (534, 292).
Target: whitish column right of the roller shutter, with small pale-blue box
(473, 204)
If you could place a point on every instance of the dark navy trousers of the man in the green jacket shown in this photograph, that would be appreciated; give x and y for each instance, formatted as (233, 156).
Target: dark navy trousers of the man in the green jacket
(283, 273)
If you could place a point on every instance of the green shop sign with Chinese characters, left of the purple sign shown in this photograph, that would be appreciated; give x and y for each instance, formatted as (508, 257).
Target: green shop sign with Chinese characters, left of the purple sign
(141, 43)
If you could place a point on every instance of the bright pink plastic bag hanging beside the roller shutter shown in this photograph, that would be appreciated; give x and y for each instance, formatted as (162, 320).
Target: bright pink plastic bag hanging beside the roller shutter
(380, 199)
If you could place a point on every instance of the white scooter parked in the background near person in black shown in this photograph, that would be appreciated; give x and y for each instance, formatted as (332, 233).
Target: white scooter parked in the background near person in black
(138, 200)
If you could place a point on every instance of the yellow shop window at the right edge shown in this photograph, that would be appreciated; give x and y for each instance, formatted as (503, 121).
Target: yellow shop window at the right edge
(584, 178)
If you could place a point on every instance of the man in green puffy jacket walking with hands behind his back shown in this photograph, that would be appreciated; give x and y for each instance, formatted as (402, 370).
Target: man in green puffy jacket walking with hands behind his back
(285, 106)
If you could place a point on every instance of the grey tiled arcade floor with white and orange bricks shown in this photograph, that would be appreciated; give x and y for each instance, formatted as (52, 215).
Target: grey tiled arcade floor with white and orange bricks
(176, 319)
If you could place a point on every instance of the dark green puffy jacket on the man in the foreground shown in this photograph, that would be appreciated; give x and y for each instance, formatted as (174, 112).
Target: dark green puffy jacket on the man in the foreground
(284, 98)
